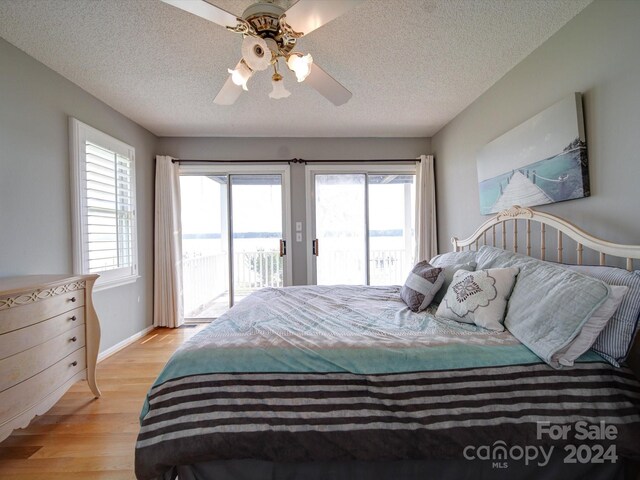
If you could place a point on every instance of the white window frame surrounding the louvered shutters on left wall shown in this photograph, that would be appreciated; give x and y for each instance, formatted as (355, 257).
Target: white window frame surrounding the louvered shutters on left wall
(80, 133)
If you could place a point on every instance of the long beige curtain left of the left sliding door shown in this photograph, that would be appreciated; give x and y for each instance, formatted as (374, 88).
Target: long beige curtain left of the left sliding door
(167, 263)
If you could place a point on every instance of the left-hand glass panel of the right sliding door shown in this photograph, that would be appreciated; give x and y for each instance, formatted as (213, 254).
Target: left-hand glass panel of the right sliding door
(340, 229)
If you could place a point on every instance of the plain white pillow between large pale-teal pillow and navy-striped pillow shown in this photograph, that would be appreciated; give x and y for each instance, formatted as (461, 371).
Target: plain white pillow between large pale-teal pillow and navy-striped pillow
(591, 329)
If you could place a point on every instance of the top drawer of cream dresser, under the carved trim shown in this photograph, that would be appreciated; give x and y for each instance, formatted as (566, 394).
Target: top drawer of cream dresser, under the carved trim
(25, 312)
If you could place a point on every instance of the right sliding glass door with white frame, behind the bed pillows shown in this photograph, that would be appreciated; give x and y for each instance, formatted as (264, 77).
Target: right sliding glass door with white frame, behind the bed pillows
(362, 224)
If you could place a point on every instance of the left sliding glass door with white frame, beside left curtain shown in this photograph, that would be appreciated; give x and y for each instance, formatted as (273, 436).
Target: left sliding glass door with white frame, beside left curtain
(234, 235)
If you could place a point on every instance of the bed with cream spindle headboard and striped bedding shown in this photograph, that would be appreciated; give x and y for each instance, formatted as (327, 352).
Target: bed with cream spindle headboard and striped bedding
(348, 382)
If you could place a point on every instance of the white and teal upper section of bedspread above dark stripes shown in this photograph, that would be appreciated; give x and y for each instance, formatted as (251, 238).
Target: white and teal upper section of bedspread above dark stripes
(340, 328)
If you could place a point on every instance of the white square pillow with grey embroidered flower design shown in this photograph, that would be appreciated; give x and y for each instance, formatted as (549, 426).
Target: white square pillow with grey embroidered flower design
(479, 297)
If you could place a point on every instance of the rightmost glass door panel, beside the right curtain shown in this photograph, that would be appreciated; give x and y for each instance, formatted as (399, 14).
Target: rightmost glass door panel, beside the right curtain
(391, 228)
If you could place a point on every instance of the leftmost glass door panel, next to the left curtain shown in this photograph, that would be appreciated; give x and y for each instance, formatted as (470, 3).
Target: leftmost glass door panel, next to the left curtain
(205, 246)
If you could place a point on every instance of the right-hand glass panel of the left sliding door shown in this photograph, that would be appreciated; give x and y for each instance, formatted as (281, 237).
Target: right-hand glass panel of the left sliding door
(257, 228)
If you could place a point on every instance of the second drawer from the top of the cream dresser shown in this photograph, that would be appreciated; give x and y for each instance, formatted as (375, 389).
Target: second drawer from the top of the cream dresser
(25, 338)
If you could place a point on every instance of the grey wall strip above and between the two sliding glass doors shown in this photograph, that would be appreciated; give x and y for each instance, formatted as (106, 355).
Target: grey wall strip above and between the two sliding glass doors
(286, 149)
